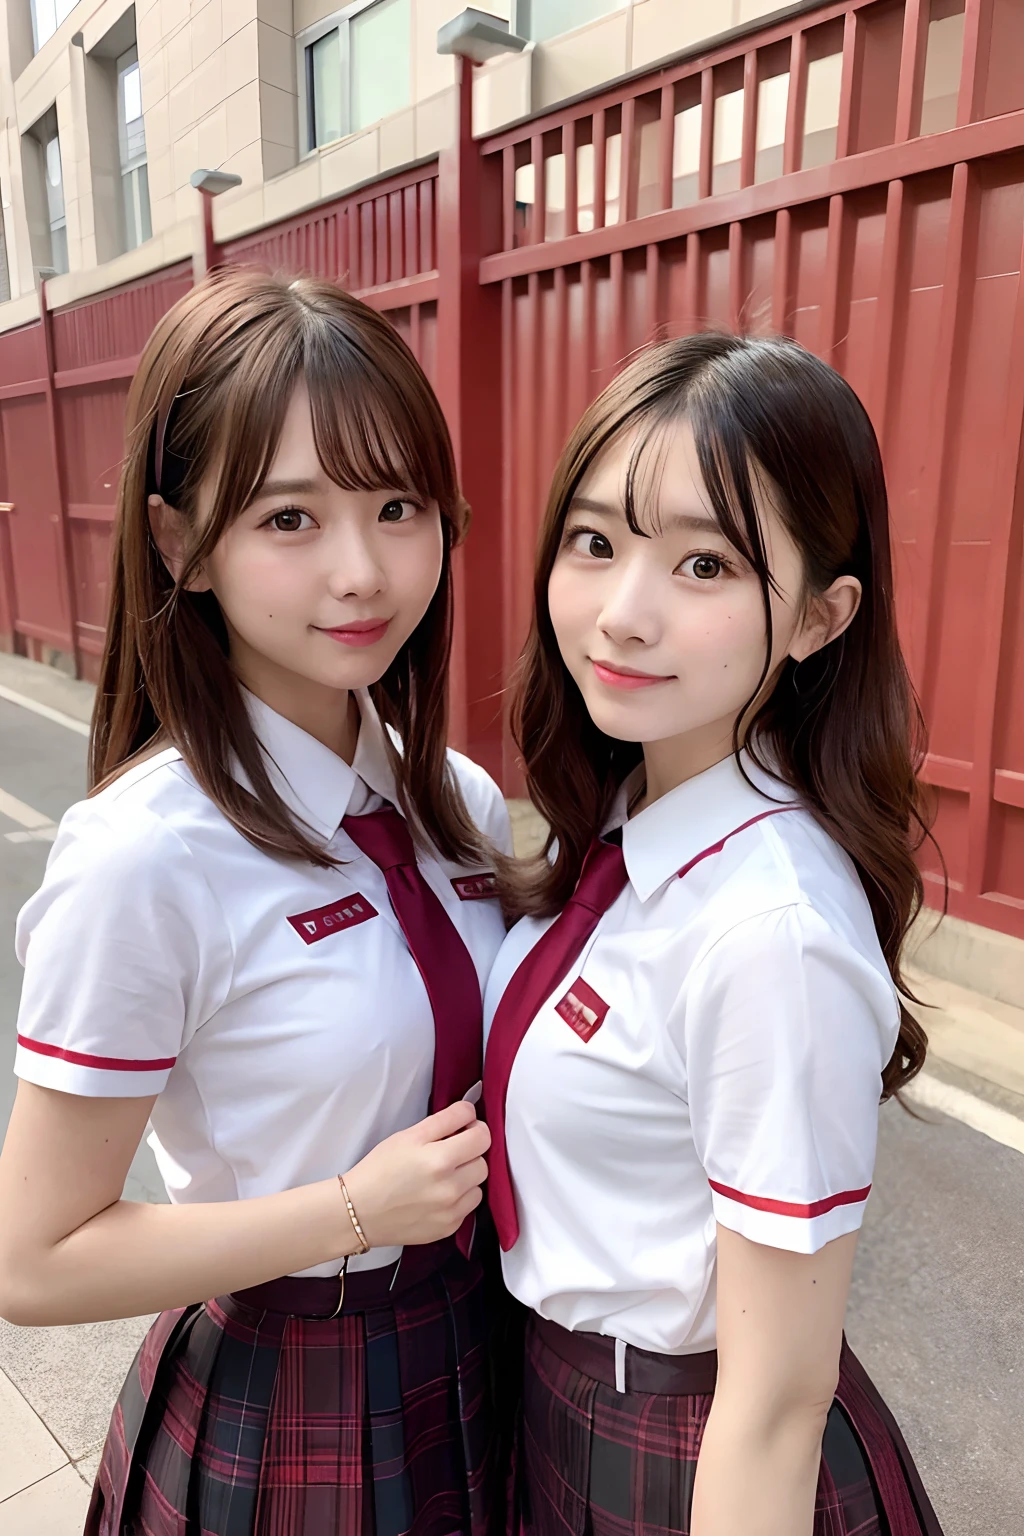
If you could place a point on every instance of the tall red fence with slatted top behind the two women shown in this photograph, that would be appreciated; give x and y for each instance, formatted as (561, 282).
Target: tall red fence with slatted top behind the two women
(853, 176)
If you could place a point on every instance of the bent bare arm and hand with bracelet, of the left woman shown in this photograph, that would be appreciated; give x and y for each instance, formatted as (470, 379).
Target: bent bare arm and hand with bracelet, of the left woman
(73, 1251)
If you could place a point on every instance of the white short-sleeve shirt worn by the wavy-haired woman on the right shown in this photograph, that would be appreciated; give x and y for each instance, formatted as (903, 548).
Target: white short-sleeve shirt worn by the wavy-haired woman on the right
(713, 1056)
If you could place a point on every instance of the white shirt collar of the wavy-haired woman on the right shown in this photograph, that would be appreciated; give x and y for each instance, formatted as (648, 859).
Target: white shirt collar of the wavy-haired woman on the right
(692, 818)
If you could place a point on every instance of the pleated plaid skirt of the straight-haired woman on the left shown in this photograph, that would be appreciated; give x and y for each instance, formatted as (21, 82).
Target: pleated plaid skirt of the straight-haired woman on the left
(243, 1420)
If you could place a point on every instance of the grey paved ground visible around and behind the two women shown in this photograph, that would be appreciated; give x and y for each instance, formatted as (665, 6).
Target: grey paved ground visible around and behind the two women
(936, 1314)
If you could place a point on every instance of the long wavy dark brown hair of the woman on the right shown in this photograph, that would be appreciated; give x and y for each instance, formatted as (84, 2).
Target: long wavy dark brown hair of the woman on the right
(768, 415)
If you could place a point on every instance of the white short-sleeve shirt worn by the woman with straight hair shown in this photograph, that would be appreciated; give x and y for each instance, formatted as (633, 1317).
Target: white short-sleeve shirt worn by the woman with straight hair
(273, 1007)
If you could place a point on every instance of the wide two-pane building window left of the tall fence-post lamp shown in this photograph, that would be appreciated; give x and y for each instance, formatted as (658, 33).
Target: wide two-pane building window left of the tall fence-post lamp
(355, 70)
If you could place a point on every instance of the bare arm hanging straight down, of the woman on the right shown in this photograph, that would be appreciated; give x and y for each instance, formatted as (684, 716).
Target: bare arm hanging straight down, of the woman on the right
(781, 1332)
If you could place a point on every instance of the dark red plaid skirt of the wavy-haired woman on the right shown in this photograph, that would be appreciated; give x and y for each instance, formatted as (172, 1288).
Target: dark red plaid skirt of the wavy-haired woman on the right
(595, 1462)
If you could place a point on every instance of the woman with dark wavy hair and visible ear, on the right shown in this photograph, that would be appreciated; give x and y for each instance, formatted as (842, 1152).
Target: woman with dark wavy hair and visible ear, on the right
(699, 1013)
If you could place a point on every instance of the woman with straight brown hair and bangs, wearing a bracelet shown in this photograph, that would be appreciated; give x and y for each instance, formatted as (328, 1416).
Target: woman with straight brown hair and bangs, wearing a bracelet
(266, 933)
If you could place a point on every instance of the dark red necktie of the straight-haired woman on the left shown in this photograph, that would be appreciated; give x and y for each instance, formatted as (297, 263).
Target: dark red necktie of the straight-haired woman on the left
(438, 950)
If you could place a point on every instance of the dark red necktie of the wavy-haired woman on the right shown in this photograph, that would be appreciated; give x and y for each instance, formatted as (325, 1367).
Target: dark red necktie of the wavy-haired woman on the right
(603, 879)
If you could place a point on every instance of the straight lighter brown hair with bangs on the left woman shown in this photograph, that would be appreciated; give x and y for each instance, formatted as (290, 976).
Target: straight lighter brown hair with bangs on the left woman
(208, 403)
